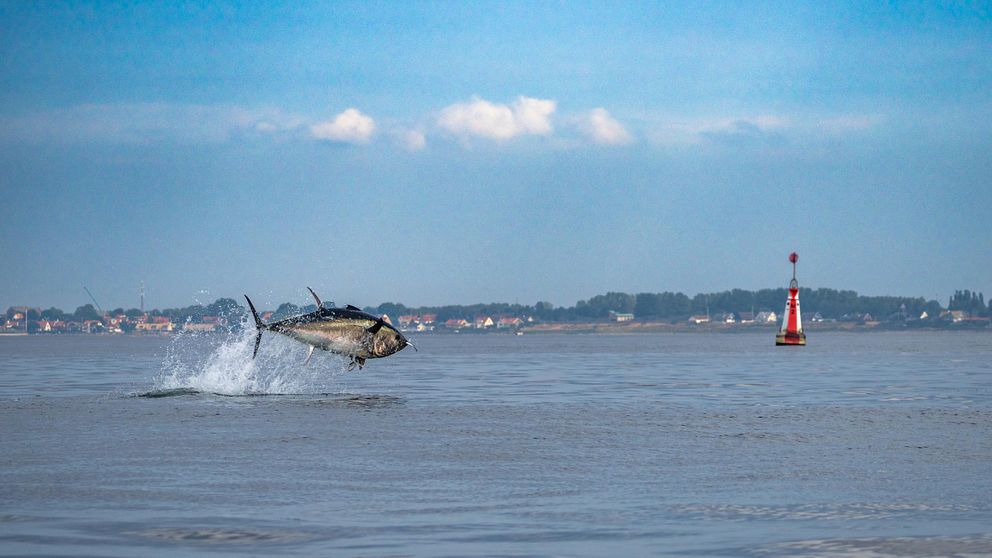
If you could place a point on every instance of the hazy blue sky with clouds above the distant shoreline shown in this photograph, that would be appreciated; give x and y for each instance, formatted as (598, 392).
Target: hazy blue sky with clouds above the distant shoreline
(433, 153)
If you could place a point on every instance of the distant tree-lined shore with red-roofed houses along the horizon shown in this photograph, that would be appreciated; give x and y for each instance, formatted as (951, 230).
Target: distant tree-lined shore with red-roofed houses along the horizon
(736, 309)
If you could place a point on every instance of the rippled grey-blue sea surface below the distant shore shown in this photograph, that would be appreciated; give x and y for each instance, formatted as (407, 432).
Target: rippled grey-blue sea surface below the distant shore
(573, 445)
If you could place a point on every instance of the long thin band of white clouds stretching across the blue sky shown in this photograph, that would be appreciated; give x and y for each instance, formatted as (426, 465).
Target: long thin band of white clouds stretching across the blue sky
(148, 123)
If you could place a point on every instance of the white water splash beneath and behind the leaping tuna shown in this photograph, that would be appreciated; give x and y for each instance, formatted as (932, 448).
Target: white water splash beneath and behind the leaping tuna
(222, 364)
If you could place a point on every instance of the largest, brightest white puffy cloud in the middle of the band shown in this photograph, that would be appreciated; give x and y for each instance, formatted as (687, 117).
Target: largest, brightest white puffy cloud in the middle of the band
(526, 116)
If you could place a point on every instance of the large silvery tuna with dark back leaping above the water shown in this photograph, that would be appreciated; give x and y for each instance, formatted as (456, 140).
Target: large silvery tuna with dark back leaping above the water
(346, 331)
